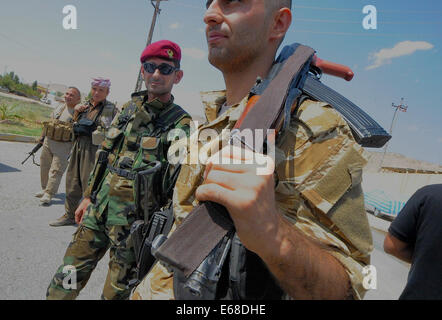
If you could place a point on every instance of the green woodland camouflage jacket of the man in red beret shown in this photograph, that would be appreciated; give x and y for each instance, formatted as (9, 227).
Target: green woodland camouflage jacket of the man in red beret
(135, 137)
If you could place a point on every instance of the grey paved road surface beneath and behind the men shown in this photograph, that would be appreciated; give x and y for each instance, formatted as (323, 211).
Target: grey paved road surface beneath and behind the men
(31, 250)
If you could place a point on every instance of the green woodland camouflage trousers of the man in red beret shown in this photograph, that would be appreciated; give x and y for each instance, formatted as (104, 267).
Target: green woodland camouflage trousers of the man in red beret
(82, 255)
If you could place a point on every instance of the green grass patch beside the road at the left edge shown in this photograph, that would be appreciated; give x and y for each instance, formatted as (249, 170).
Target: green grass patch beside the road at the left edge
(28, 120)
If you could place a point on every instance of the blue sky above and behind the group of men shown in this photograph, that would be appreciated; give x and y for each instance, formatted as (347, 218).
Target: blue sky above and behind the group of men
(401, 58)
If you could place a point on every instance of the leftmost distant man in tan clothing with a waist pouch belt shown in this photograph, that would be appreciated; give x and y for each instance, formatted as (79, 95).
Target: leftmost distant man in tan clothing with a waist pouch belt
(57, 143)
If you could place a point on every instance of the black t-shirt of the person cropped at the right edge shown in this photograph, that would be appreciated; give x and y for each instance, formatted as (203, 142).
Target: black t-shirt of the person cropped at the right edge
(420, 224)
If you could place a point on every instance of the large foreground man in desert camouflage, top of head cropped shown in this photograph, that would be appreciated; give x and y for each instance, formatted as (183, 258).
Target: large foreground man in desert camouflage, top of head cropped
(305, 220)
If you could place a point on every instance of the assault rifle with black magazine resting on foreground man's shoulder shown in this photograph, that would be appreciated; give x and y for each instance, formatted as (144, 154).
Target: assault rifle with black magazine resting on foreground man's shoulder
(292, 76)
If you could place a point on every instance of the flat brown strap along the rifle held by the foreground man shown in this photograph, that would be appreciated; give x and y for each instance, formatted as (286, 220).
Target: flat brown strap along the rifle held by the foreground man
(209, 222)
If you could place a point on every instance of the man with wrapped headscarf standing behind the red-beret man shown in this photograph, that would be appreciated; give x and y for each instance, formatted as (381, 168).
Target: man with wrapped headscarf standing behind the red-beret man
(90, 121)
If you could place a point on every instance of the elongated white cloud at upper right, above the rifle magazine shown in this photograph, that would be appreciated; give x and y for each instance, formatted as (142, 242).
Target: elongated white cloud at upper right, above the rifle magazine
(404, 48)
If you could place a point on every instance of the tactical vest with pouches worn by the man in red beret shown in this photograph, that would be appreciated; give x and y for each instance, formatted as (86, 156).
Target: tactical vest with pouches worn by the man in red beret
(142, 147)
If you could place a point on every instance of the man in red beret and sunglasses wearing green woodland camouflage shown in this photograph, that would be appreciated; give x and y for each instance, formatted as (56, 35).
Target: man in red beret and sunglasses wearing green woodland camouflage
(137, 136)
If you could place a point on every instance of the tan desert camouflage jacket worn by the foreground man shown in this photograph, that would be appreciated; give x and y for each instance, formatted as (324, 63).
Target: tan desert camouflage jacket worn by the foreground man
(319, 170)
